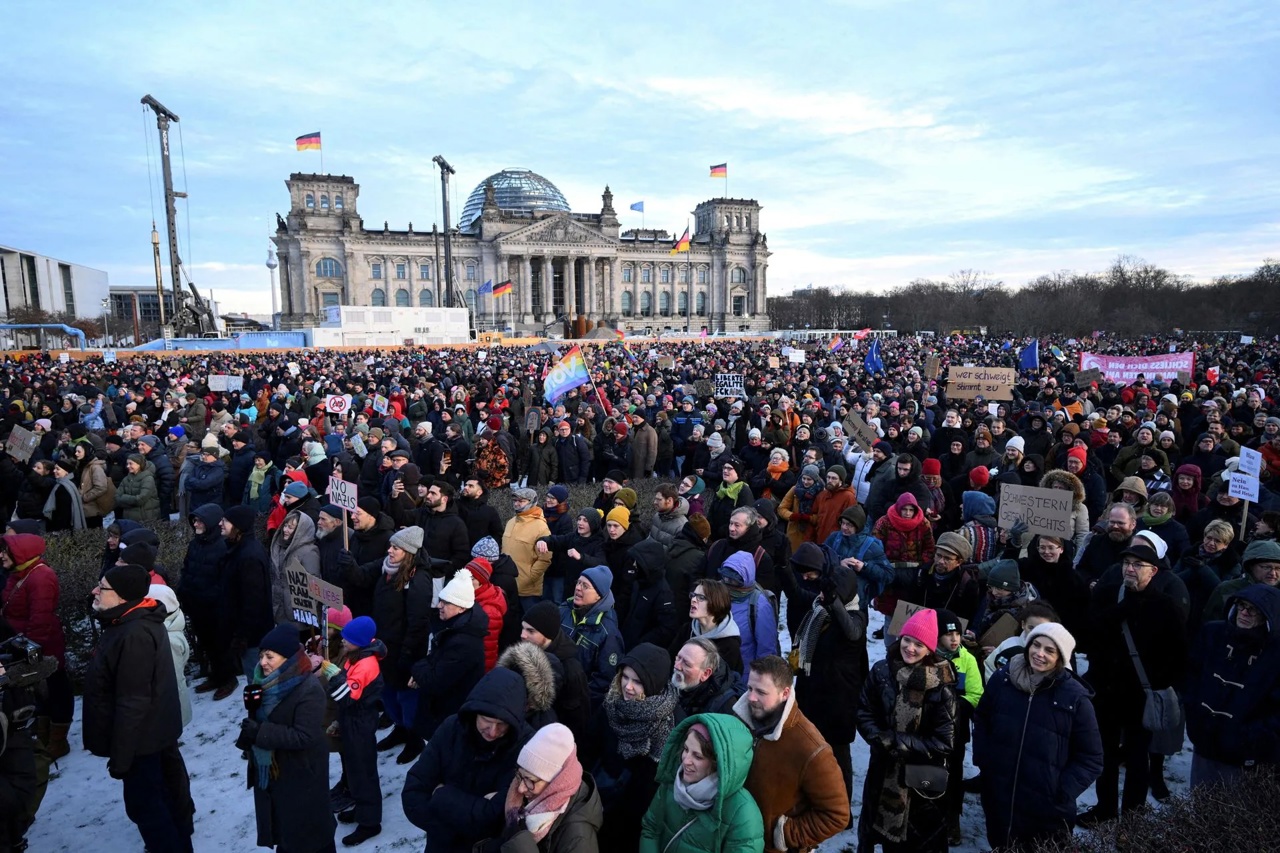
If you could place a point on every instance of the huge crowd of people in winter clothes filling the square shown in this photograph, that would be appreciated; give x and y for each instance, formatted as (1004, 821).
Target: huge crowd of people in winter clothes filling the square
(568, 669)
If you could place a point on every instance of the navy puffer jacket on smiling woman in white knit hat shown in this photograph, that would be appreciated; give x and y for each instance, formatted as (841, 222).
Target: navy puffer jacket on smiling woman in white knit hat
(1037, 752)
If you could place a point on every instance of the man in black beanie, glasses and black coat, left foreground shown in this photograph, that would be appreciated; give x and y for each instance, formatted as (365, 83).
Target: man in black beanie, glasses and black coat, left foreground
(131, 713)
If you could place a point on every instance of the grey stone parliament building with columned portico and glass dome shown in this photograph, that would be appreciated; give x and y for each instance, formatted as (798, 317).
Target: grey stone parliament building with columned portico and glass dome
(572, 270)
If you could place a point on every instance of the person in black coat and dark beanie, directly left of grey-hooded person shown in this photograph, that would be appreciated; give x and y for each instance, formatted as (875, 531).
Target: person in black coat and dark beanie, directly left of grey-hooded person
(248, 573)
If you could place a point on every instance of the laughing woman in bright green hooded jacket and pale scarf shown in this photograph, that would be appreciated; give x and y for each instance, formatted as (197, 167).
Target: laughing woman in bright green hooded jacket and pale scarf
(702, 806)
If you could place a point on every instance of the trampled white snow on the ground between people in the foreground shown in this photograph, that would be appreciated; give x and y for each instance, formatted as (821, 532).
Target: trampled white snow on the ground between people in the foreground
(84, 805)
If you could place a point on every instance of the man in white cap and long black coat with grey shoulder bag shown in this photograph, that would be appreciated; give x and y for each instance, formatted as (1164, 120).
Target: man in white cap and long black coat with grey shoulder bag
(1153, 601)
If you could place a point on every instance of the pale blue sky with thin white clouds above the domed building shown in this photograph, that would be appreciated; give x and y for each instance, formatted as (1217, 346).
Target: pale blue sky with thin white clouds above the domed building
(886, 142)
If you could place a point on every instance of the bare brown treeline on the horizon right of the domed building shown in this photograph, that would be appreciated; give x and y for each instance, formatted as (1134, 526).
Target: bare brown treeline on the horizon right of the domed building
(1132, 298)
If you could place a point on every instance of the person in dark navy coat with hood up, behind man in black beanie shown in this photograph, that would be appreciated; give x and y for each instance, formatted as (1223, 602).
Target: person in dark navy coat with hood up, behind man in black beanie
(202, 591)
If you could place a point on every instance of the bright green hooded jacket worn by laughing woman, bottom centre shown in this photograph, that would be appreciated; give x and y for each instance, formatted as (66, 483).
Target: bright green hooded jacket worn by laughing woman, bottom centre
(733, 824)
